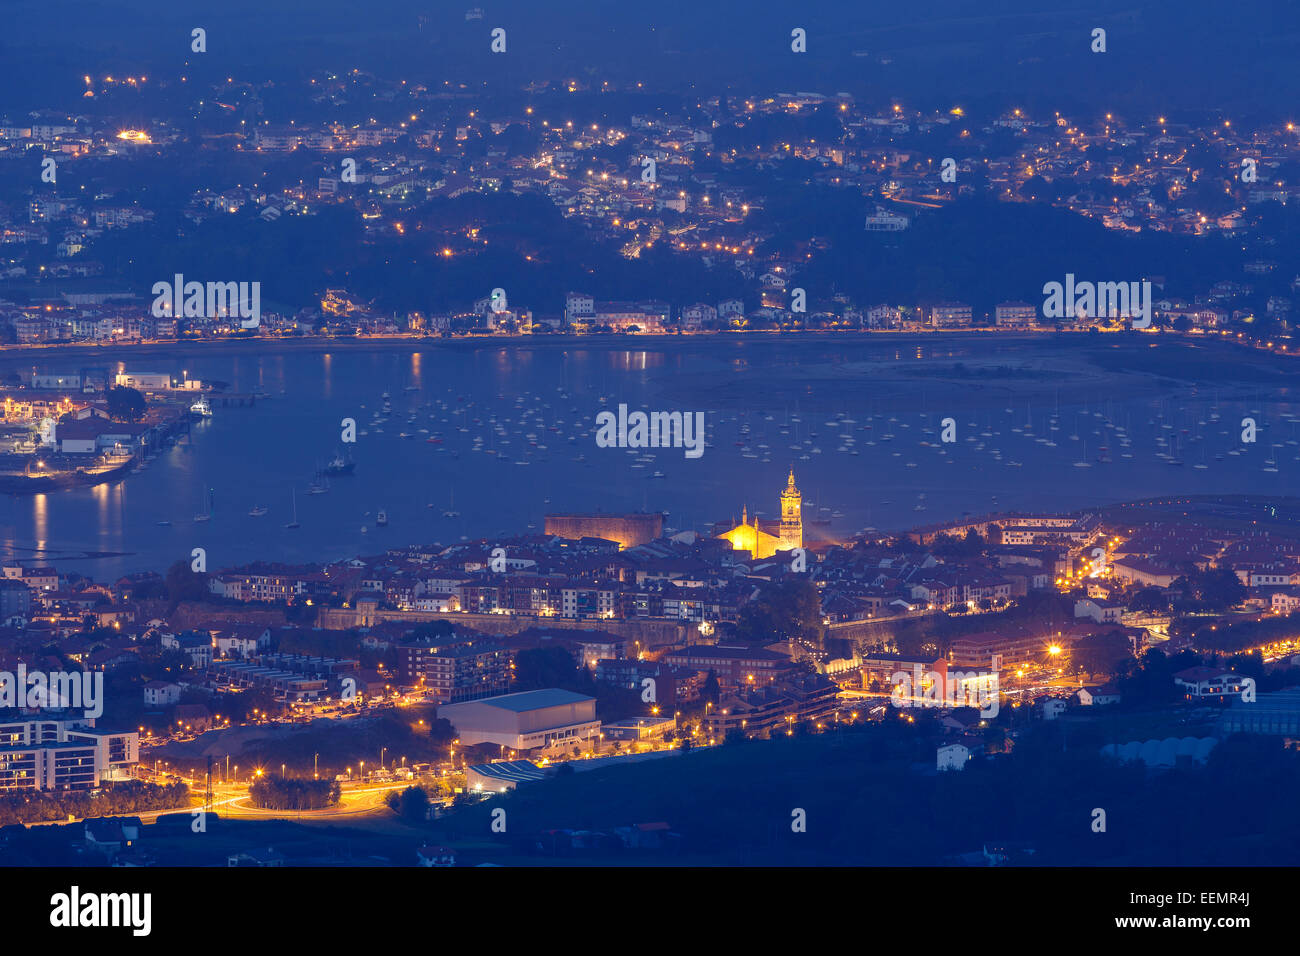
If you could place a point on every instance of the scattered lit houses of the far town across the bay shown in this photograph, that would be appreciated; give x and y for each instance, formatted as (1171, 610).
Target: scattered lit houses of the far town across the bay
(696, 184)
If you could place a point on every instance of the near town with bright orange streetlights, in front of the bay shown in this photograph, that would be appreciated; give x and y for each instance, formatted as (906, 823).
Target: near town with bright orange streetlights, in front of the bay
(1047, 612)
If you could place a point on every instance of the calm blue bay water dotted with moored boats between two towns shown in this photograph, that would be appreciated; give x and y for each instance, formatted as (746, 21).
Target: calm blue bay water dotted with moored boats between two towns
(492, 399)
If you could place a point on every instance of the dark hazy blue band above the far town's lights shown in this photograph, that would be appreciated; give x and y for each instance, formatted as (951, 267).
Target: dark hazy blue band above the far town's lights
(1164, 55)
